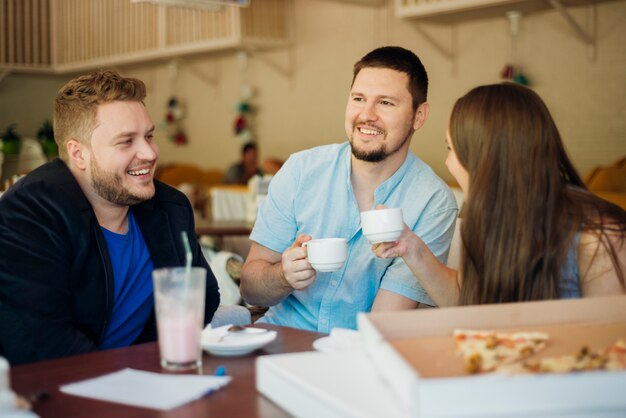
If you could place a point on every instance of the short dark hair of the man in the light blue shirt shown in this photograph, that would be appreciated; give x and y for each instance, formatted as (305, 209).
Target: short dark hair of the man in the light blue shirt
(399, 59)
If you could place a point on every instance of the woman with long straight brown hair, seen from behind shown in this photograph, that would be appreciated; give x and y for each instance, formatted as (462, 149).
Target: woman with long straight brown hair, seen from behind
(529, 228)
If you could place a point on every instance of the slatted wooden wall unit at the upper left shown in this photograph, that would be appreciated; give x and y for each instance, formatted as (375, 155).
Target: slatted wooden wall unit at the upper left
(66, 36)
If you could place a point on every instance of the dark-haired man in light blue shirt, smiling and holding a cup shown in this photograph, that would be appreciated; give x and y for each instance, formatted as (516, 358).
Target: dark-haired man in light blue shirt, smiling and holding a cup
(319, 193)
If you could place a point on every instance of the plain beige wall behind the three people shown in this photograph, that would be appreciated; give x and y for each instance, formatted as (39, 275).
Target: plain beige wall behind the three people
(587, 97)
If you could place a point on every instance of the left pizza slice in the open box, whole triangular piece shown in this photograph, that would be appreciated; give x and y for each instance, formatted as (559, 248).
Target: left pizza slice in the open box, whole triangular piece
(485, 351)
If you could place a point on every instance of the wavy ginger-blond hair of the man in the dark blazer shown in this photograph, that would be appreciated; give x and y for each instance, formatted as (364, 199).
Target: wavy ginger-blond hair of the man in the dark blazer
(76, 104)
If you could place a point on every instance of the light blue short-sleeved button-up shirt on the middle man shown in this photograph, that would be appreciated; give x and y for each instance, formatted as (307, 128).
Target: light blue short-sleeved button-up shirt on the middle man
(312, 194)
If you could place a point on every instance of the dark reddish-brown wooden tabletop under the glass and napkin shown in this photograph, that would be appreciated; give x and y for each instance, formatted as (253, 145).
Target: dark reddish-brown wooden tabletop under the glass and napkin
(239, 399)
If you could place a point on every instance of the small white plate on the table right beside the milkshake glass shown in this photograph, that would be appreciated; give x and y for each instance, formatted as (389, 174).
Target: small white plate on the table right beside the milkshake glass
(223, 343)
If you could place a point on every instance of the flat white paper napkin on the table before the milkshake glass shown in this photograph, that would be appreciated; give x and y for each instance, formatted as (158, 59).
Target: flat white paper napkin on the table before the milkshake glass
(147, 389)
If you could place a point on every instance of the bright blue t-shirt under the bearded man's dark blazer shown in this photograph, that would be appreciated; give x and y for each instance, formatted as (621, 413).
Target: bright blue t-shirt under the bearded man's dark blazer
(133, 300)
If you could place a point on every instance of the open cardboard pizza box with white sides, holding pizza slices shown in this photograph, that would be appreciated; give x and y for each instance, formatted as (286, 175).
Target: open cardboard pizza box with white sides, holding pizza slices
(414, 354)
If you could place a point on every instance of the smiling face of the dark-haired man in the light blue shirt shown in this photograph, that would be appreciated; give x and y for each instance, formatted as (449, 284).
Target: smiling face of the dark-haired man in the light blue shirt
(380, 119)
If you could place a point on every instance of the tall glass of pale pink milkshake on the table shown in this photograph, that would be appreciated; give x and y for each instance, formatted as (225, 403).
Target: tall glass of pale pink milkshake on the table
(179, 301)
